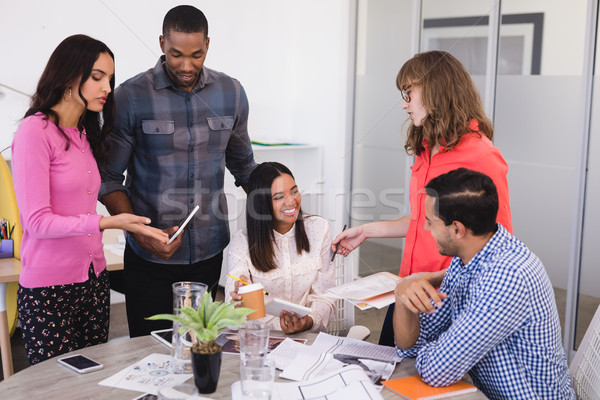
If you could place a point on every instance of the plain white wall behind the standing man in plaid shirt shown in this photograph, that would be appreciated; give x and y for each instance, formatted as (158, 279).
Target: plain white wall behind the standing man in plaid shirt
(294, 59)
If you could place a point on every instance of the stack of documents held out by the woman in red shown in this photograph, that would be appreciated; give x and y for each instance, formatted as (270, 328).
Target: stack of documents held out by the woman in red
(375, 290)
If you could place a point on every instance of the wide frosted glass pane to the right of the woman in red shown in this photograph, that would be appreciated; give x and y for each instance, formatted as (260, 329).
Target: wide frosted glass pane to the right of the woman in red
(538, 131)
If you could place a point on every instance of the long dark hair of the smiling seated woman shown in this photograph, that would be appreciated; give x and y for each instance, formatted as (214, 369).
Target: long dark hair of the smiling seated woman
(259, 217)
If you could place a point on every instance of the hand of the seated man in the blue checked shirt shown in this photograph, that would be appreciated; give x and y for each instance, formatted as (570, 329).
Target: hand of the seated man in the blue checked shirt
(415, 292)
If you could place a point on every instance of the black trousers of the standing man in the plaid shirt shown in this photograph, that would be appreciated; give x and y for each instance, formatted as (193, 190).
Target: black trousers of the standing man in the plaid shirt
(148, 289)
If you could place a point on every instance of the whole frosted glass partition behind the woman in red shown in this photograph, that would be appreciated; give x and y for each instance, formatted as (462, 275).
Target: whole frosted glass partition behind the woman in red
(539, 108)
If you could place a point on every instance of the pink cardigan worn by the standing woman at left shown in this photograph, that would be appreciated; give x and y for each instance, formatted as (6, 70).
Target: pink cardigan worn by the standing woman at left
(57, 193)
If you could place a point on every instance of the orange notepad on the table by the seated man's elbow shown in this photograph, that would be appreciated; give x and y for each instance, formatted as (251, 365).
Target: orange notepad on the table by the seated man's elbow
(413, 388)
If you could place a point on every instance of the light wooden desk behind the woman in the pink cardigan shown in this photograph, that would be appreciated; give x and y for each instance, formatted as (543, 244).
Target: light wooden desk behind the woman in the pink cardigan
(10, 269)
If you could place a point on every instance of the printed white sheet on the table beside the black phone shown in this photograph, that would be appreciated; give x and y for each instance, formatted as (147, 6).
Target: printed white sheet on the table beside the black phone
(147, 375)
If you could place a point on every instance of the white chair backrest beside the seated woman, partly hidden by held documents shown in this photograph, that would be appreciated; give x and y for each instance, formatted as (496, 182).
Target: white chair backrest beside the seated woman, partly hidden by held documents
(343, 317)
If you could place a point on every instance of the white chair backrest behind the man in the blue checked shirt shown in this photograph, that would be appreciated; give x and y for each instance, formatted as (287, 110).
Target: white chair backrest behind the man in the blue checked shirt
(585, 367)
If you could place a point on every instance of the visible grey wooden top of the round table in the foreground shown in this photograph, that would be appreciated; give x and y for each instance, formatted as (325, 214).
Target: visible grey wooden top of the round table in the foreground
(48, 380)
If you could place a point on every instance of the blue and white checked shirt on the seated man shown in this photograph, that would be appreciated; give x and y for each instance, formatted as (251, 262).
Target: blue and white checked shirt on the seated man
(499, 323)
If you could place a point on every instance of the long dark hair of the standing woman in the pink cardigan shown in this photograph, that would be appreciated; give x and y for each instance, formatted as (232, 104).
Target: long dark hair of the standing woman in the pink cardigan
(74, 58)
